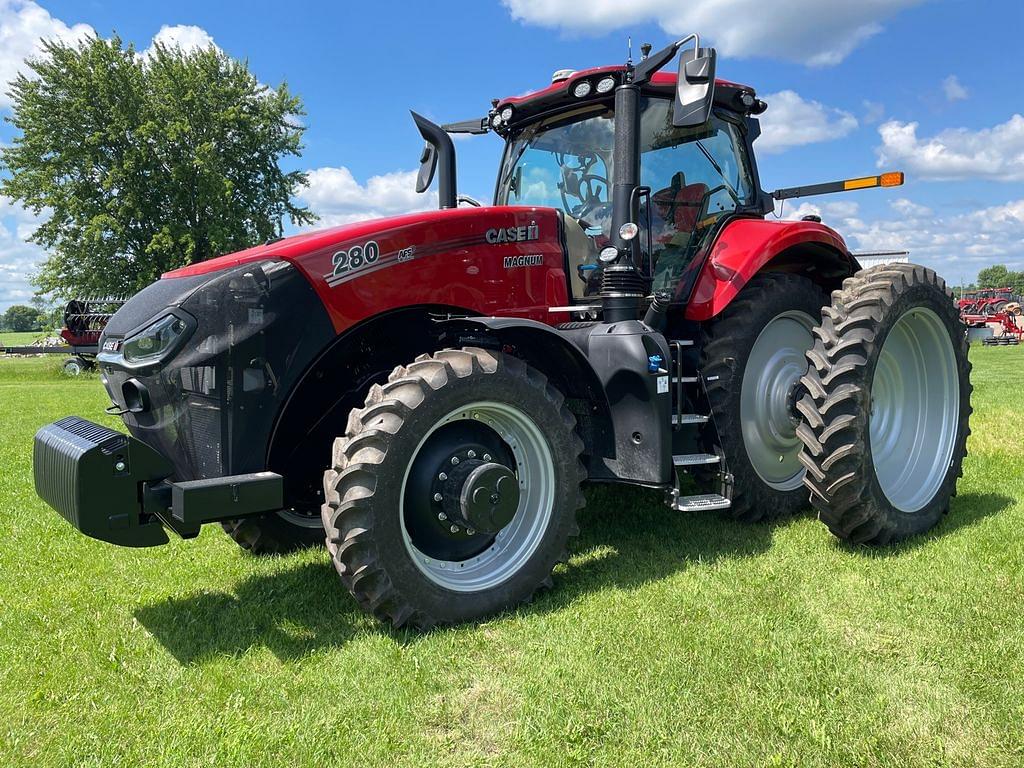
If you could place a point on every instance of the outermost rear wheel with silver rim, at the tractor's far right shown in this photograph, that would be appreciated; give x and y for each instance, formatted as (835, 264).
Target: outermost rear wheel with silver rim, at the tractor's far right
(887, 409)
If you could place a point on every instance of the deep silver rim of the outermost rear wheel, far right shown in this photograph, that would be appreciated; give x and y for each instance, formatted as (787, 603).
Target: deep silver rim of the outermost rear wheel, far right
(915, 405)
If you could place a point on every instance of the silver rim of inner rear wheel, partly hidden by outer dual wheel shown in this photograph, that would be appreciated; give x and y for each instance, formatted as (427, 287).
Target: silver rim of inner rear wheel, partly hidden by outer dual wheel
(774, 370)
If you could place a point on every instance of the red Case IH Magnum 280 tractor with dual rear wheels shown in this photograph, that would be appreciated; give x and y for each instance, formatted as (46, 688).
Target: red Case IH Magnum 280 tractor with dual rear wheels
(623, 313)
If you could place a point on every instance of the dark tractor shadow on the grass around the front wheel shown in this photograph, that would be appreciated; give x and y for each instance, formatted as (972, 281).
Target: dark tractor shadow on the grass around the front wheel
(628, 538)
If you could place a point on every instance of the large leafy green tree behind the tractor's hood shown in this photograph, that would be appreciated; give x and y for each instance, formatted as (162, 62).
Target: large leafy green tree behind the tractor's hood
(145, 164)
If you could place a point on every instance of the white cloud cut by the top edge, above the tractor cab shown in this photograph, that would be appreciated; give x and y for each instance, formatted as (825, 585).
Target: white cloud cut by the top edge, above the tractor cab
(808, 31)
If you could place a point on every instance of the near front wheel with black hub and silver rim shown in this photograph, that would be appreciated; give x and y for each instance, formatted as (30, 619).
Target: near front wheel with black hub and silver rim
(453, 430)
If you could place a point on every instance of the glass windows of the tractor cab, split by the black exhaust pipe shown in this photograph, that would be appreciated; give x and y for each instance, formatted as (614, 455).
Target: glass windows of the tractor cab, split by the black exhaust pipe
(697, 177)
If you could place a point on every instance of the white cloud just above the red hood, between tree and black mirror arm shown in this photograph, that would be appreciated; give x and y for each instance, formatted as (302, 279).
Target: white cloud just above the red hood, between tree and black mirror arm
(339, 199)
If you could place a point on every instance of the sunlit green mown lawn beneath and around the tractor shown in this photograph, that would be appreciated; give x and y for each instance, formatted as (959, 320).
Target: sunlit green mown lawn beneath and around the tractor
(668, 639)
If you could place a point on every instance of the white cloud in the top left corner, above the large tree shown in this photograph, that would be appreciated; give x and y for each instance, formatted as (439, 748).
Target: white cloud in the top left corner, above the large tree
(23, 27)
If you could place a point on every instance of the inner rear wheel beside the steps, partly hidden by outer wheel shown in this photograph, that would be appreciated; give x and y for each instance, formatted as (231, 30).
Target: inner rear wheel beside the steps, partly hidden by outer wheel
(752, 358)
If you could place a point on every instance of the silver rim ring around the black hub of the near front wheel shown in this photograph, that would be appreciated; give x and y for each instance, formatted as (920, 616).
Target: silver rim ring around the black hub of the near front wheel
(517, 543)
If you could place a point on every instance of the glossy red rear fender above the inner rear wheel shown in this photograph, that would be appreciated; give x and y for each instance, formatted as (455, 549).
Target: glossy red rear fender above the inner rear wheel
(747, 247)
